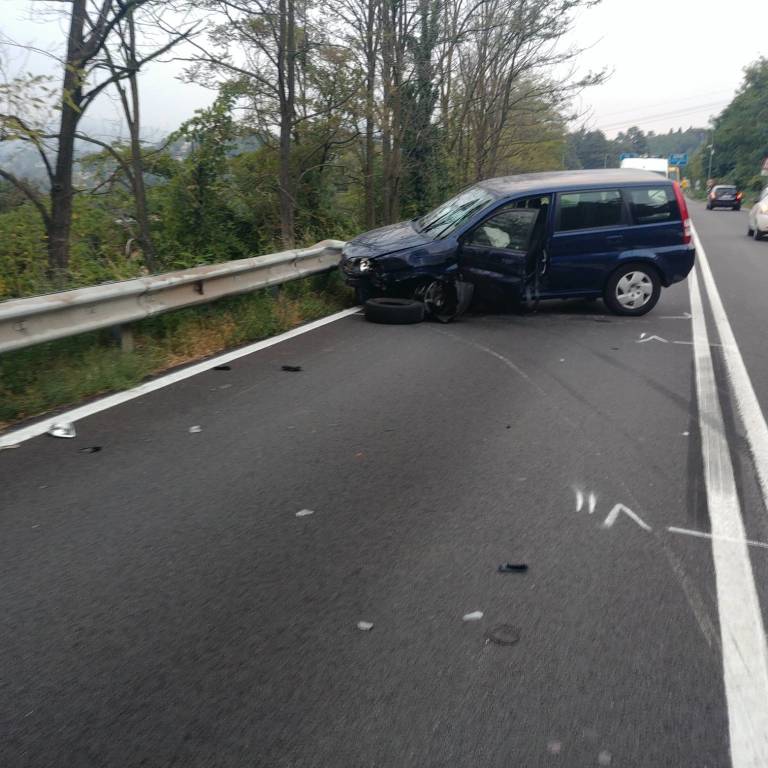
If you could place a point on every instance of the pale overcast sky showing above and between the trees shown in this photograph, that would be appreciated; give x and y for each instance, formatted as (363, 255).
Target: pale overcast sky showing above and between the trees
(675, 63)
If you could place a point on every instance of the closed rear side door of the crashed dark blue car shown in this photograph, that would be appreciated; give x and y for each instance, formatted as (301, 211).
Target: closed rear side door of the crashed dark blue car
(589, 235)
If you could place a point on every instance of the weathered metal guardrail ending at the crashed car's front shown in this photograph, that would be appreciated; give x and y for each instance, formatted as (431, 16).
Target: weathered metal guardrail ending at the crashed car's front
(24, 322)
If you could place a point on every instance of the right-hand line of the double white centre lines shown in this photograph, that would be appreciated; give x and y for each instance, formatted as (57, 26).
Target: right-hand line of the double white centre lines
(746, 401)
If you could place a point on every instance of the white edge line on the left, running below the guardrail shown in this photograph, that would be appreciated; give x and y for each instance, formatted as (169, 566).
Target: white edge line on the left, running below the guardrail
(41, 427)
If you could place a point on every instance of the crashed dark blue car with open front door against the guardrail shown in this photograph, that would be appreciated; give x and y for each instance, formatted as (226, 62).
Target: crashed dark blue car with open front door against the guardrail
(620, 235)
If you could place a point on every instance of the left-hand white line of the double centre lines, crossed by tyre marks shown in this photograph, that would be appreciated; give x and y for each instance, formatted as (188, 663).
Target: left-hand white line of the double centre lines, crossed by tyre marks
(742, 634)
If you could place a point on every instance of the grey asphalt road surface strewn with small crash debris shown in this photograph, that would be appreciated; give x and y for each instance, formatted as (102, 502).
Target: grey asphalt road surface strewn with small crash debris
(163, 605)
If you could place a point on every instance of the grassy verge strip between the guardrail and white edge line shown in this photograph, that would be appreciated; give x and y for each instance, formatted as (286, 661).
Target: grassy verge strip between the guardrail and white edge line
(58, 373)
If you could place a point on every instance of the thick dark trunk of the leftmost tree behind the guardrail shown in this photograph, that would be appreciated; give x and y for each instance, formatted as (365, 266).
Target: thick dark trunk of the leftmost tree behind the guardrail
(61, 183)
